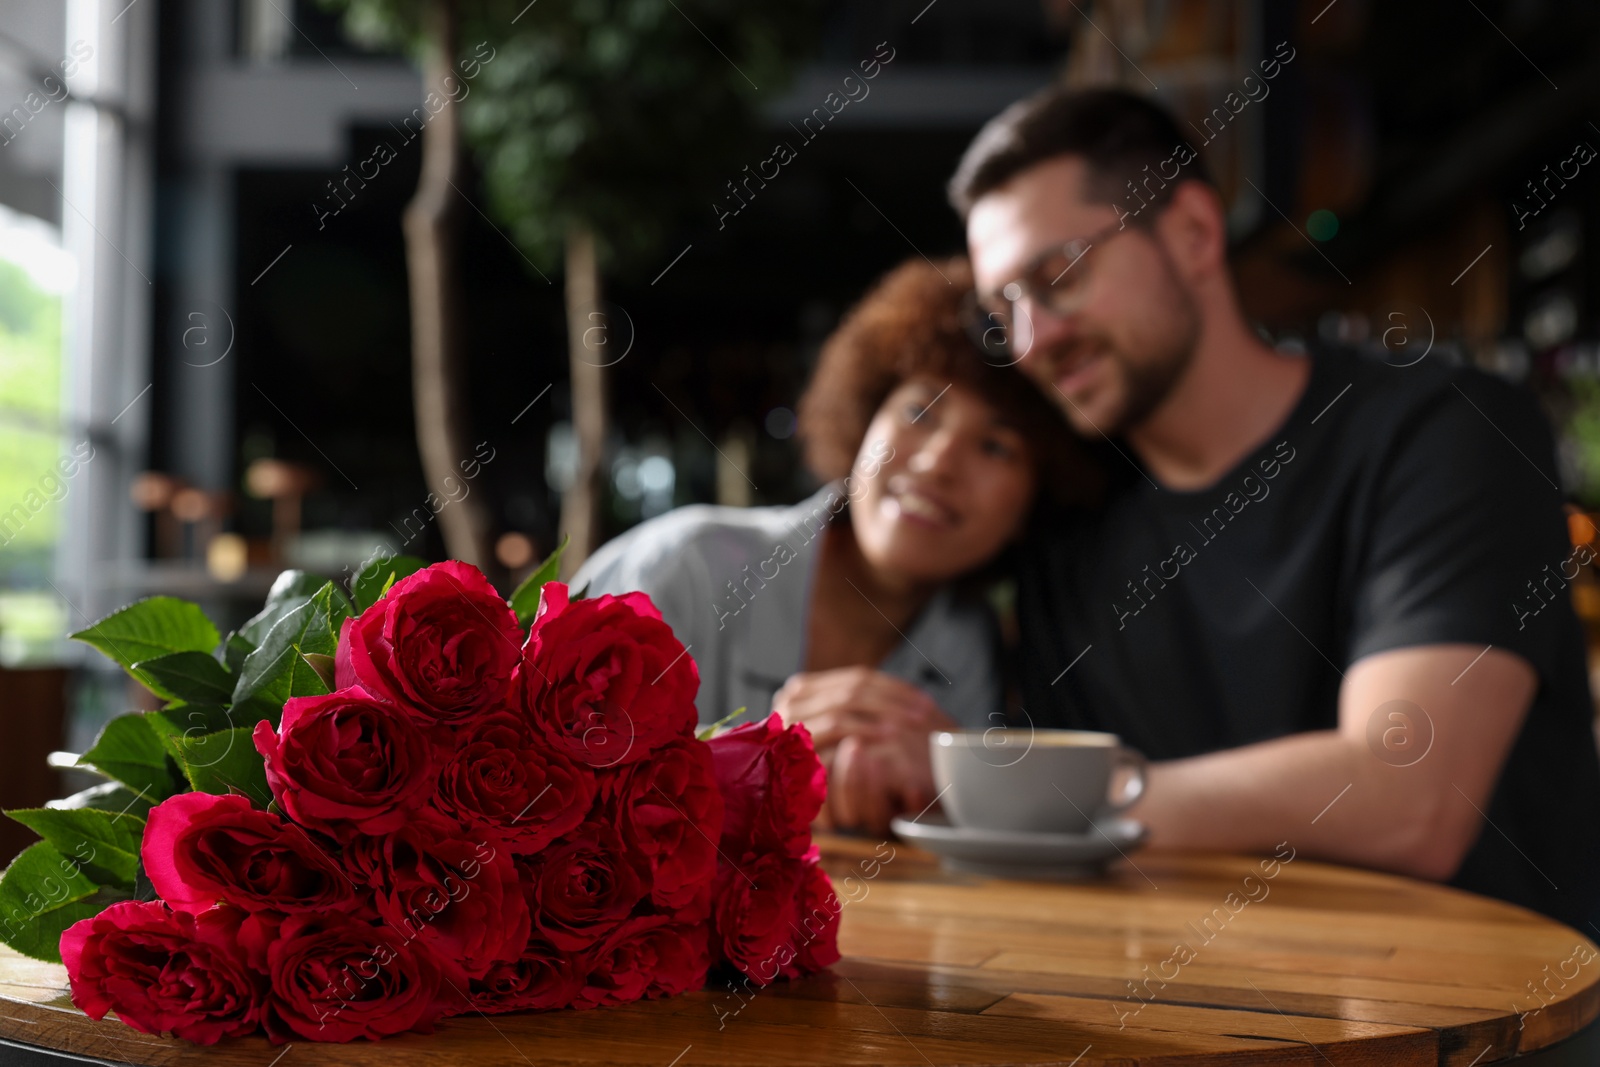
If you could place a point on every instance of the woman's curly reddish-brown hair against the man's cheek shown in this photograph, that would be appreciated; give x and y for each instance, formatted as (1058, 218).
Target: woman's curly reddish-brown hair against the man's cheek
(911, 324)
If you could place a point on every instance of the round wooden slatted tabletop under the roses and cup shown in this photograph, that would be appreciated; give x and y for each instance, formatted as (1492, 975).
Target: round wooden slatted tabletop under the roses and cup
(1313, 965)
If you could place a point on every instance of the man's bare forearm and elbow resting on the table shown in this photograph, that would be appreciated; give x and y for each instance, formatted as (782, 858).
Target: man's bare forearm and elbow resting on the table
(1338, 797)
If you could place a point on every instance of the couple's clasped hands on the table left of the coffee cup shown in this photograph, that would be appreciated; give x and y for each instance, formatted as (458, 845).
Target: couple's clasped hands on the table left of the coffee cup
(873, 733)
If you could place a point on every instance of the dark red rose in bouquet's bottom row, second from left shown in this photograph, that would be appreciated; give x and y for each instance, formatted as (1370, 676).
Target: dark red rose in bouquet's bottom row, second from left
(338, 978)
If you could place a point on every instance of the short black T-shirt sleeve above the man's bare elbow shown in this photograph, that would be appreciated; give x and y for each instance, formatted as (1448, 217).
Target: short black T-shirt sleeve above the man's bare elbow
(1466, 511)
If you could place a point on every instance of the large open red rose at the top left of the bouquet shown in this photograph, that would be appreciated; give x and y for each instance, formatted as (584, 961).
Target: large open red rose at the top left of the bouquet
(442, 645)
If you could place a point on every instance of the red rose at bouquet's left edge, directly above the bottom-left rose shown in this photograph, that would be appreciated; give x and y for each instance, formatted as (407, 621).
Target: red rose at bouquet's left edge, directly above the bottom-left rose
(202, 849)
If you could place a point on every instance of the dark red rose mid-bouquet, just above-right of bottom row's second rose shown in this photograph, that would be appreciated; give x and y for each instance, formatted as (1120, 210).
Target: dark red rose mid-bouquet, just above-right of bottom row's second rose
(460, 900)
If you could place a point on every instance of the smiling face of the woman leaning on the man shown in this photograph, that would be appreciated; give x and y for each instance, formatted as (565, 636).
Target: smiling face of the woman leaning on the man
(942, 482)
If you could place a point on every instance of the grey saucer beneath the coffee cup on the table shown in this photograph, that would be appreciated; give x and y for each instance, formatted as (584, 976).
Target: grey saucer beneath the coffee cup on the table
(1025, 855)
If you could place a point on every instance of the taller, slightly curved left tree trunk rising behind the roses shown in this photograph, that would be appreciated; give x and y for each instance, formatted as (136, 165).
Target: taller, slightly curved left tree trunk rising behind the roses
(438, 359)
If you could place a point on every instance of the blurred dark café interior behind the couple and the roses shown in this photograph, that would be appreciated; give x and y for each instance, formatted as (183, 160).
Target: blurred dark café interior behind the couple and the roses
(290, 282)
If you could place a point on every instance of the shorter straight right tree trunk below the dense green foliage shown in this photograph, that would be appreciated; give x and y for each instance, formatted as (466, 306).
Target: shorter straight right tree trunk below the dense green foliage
(582, 503)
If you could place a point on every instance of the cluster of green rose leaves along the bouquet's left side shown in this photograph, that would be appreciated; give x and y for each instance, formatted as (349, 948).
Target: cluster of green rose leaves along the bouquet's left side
(201, 740)
